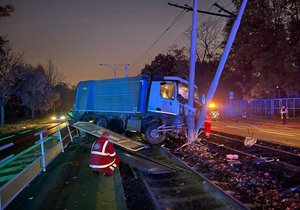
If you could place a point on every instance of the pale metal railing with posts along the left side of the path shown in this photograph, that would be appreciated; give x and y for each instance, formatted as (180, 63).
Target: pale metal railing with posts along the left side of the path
(50, 147)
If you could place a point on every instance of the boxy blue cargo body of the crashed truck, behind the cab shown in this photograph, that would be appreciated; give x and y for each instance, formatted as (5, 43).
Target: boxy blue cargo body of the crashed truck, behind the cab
(121, 95)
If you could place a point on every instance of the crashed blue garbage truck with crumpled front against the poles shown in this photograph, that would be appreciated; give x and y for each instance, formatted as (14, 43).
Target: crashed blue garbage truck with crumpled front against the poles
(155, 105)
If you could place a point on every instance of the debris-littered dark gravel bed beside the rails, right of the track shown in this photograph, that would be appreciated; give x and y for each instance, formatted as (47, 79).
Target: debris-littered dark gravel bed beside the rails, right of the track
(248, 181)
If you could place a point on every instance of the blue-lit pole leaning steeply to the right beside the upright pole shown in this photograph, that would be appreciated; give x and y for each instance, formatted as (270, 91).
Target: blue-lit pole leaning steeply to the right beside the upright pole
(215, 82)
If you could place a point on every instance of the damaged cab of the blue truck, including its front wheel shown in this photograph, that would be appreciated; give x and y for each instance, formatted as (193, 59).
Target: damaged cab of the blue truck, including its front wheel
(168, 100)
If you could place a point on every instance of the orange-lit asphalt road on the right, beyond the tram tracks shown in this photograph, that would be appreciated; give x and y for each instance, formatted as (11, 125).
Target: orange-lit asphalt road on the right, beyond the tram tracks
(272, 131)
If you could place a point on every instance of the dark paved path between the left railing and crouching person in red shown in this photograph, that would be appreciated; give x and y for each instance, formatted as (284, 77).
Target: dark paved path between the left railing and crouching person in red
(69, 184)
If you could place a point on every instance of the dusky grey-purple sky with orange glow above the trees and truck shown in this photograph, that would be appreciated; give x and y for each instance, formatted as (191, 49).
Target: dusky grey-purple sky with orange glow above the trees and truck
(78, 35)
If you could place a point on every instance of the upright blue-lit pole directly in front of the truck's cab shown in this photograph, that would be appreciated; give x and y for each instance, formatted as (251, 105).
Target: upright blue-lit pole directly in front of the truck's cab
(190, 117)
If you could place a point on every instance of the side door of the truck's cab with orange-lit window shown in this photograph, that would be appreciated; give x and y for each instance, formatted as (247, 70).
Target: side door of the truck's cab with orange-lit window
(163, 98)
